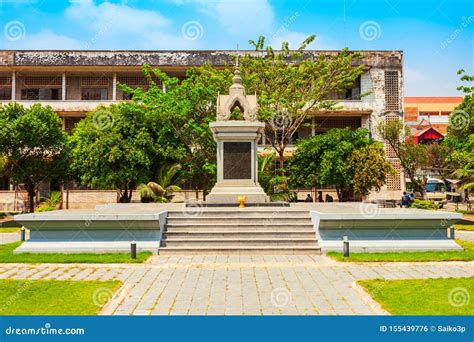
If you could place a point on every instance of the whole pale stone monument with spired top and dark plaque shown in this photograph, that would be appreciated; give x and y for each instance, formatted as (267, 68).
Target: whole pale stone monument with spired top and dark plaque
(237, 147)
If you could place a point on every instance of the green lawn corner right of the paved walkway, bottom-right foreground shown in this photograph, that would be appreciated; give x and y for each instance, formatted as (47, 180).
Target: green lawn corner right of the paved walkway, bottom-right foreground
(449, 296)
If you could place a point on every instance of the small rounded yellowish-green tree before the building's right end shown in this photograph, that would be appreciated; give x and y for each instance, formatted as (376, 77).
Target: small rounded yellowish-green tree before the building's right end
(369, 168)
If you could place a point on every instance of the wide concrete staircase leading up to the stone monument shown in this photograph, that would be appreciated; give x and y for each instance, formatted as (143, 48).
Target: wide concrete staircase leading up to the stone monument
(234, 231)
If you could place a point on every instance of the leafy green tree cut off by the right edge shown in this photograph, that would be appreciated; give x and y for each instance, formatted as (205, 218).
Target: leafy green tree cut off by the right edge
(460, 137)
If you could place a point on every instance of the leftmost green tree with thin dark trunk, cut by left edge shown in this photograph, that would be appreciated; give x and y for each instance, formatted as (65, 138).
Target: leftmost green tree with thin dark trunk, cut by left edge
(34, 145)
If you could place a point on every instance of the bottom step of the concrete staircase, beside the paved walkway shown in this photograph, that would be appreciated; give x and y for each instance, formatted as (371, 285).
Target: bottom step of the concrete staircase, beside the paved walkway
(242, 250)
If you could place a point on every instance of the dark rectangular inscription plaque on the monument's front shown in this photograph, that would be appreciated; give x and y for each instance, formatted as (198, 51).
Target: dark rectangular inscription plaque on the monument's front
(237, 160)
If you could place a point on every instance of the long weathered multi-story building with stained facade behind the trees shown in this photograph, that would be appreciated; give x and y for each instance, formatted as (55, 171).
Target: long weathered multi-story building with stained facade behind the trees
(75, 82)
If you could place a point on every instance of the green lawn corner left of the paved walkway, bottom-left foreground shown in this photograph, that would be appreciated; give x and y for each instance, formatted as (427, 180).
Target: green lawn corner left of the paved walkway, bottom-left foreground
(54, 297)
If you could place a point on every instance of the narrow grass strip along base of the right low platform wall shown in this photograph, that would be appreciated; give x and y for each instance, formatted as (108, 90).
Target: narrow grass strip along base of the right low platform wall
(466, 255)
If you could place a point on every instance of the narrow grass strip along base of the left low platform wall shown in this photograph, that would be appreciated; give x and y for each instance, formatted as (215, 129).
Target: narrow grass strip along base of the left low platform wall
(7, 256)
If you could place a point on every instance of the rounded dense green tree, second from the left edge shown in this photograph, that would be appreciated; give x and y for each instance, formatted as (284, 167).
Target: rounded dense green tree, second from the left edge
(112, 148)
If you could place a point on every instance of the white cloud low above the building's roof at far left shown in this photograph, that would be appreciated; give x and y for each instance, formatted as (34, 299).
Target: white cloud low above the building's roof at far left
(44, 40)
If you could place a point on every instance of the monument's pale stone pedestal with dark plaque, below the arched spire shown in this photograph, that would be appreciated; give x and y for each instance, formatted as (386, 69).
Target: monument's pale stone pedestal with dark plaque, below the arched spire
(237, 173)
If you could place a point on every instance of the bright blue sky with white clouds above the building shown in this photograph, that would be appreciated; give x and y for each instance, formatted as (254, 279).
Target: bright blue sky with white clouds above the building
(436, 36)
